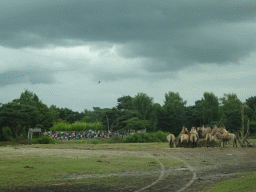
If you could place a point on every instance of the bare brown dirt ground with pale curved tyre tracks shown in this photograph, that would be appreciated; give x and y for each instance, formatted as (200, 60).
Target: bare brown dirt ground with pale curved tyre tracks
(218, 165)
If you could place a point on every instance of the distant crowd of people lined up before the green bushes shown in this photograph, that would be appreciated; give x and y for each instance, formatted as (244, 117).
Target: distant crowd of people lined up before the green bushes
(69, 135)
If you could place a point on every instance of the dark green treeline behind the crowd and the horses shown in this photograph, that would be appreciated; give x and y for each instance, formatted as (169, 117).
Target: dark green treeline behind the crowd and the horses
(131, 113)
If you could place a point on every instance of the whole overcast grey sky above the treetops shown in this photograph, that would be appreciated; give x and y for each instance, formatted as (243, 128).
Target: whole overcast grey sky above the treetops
(60, 50)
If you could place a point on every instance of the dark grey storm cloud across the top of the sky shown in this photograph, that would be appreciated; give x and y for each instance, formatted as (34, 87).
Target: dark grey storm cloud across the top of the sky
(170, 34)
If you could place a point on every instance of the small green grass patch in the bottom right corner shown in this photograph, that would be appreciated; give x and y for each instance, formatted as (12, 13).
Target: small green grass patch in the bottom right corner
(244, 183)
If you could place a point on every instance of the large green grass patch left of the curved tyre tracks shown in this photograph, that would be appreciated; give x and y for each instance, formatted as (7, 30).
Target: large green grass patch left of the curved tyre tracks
(51, 168)
